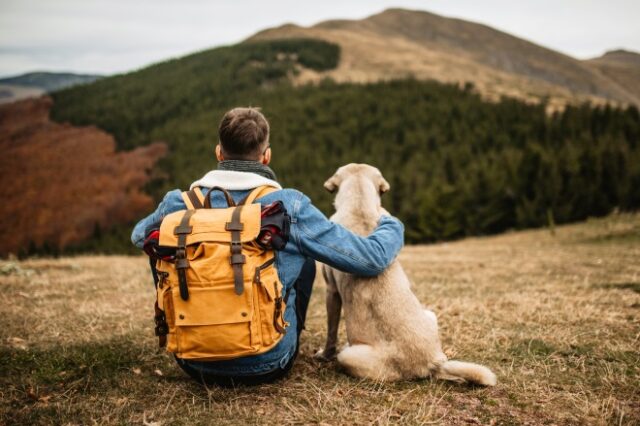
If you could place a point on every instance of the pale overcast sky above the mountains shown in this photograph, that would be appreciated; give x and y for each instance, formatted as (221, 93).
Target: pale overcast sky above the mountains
(114, 36)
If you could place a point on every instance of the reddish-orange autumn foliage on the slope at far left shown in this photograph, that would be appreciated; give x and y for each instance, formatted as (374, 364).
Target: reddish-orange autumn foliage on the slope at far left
(58, 182)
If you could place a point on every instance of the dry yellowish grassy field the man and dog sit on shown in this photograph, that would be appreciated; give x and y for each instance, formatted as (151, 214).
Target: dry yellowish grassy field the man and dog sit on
(557, 317)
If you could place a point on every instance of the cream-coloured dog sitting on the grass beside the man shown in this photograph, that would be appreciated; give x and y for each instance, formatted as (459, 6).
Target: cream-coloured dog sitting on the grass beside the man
(391, 335)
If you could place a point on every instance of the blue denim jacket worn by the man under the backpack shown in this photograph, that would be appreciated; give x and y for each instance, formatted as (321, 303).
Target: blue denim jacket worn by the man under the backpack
(311, 235)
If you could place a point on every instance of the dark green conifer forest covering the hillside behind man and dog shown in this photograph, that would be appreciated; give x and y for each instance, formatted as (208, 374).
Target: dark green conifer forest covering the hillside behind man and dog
(457, 165)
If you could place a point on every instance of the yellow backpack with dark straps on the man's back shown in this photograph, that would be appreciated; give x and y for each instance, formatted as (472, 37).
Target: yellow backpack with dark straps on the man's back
(221, 298)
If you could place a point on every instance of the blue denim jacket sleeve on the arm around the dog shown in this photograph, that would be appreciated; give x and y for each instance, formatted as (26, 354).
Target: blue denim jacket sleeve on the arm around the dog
(330, 243)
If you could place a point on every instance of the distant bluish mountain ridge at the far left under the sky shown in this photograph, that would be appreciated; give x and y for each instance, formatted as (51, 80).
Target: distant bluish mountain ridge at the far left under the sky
(37, 83)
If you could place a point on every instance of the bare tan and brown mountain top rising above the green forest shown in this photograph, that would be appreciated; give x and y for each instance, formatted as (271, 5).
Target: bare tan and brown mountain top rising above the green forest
(398, 43)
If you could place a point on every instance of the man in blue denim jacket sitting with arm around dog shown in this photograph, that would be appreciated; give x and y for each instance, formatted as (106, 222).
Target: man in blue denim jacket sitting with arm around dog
(243, 155)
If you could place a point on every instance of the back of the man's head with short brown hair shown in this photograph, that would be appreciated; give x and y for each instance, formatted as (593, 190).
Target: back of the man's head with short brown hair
(243, 133)
